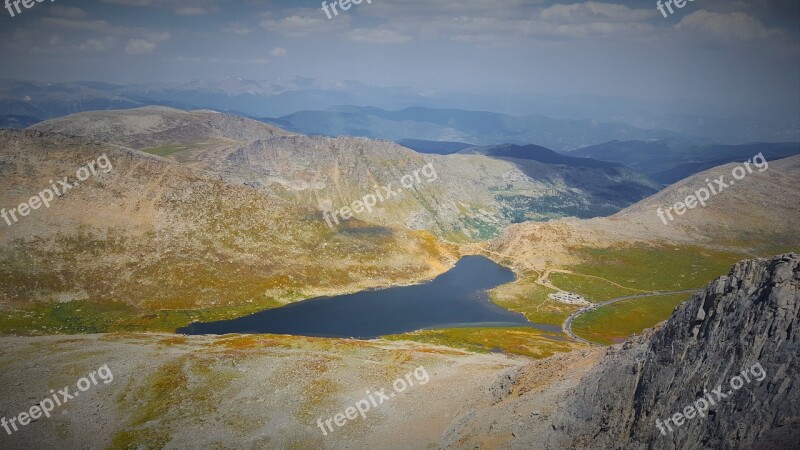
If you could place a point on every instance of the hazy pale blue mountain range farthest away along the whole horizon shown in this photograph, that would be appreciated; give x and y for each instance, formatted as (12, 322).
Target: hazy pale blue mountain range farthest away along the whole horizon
(597, 118)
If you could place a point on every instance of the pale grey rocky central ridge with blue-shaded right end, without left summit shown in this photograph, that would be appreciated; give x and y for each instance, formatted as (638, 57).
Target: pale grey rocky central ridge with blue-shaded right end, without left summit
(322, 172)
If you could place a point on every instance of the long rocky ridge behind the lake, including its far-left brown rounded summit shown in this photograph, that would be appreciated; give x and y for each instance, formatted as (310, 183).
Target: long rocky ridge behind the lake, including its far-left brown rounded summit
(471, 197)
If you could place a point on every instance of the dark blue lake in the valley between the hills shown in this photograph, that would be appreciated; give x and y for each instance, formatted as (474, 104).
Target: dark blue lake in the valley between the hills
(457, 298)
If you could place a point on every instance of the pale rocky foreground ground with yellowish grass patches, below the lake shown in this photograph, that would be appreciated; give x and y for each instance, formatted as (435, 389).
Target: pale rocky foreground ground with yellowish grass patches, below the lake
(239, 392)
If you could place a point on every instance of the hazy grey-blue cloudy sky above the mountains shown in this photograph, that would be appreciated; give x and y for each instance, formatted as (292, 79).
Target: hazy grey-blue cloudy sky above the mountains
(725, 52)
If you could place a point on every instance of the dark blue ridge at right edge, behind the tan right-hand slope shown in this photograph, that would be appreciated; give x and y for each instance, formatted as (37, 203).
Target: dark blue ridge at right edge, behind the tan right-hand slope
(668, 161)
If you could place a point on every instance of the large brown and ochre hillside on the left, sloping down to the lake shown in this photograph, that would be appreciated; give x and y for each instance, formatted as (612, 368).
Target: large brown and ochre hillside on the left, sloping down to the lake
(153, 245)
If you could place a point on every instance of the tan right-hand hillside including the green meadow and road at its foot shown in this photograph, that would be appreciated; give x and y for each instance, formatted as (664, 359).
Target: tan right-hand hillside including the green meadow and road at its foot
(633, 252)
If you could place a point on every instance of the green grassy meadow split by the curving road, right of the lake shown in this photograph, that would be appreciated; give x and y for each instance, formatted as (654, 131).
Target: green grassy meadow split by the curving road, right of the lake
(605, 274)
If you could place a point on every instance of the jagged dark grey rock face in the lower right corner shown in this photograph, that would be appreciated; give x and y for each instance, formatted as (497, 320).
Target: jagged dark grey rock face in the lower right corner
(721, 373)
